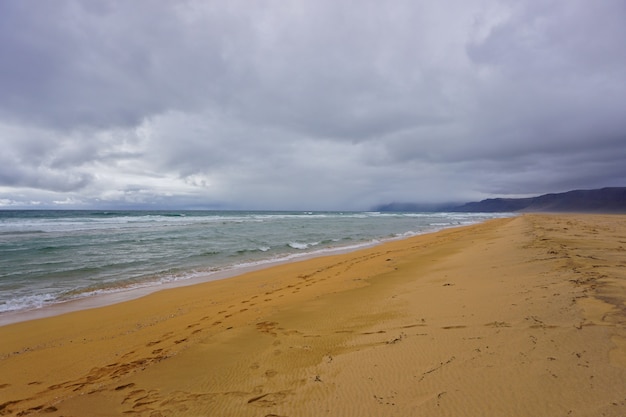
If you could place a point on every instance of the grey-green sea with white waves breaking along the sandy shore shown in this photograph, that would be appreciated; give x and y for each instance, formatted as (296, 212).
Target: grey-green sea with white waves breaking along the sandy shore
(49, 257)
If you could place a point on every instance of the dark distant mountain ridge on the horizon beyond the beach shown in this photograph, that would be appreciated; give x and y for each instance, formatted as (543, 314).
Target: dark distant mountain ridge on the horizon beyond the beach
(605, 200)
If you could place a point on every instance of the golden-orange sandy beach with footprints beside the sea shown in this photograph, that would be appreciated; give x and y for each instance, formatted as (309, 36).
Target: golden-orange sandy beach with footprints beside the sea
(512, 317)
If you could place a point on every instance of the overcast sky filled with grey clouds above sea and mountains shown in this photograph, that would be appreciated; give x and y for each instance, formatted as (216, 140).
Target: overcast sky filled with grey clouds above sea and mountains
(307, 105)
